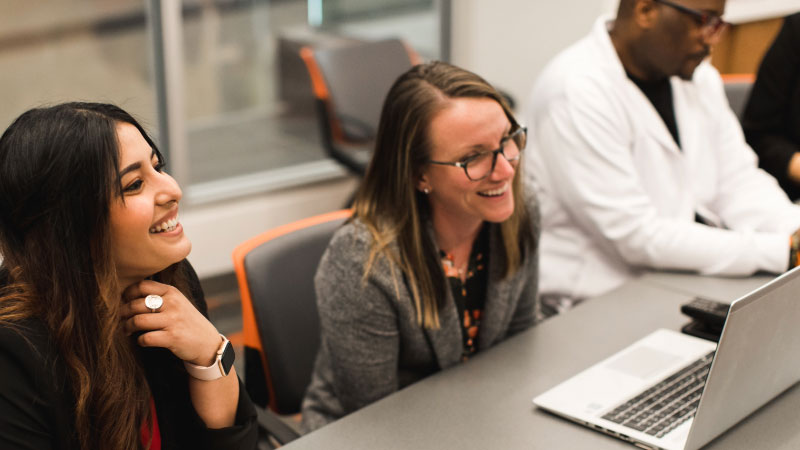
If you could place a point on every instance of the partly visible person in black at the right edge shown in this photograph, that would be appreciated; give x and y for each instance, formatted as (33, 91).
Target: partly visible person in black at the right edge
(771, 119)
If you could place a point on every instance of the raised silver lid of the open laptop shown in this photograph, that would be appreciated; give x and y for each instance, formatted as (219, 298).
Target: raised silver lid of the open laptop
(756, 358)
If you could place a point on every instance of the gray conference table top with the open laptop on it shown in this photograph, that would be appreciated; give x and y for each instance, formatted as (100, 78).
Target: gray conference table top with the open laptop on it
(485, 403)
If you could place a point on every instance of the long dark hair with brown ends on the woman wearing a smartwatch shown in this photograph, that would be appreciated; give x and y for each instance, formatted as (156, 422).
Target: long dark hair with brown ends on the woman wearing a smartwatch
(58, 177)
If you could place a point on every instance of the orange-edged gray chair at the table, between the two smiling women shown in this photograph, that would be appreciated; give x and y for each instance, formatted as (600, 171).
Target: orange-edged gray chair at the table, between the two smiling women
(275, 272)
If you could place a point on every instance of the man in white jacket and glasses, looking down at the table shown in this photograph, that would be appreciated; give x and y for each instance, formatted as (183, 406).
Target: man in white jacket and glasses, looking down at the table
(639, 162)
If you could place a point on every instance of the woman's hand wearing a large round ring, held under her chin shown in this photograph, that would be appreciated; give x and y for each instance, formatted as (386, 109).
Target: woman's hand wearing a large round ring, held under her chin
(177, 325)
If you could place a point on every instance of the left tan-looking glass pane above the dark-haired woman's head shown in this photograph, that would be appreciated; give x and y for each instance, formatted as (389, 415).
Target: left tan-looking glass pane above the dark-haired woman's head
(56, 51)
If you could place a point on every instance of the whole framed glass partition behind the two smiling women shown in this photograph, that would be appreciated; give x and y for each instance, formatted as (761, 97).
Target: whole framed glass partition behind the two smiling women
(244, 117)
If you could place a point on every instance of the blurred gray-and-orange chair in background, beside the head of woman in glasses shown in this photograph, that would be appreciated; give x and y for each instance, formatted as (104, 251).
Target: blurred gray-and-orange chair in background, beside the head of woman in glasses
(350, 83)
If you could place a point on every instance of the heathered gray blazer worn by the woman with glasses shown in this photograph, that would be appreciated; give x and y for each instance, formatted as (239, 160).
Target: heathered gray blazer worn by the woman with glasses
(371, 343)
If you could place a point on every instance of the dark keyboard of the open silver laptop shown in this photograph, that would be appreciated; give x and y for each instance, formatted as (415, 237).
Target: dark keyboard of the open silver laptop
(663, 407)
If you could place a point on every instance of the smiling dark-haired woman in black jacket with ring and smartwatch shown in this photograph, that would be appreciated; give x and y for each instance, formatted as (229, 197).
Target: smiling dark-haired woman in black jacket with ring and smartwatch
(104, 340)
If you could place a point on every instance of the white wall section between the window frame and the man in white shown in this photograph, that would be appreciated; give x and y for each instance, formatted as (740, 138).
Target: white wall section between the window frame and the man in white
(508, 42)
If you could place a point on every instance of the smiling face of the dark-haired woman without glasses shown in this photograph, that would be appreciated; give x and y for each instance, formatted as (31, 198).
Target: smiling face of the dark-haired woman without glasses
(145, 233)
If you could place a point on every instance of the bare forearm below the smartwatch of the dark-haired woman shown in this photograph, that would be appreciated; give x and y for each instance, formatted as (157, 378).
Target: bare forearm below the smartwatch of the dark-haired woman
(216, 401)
